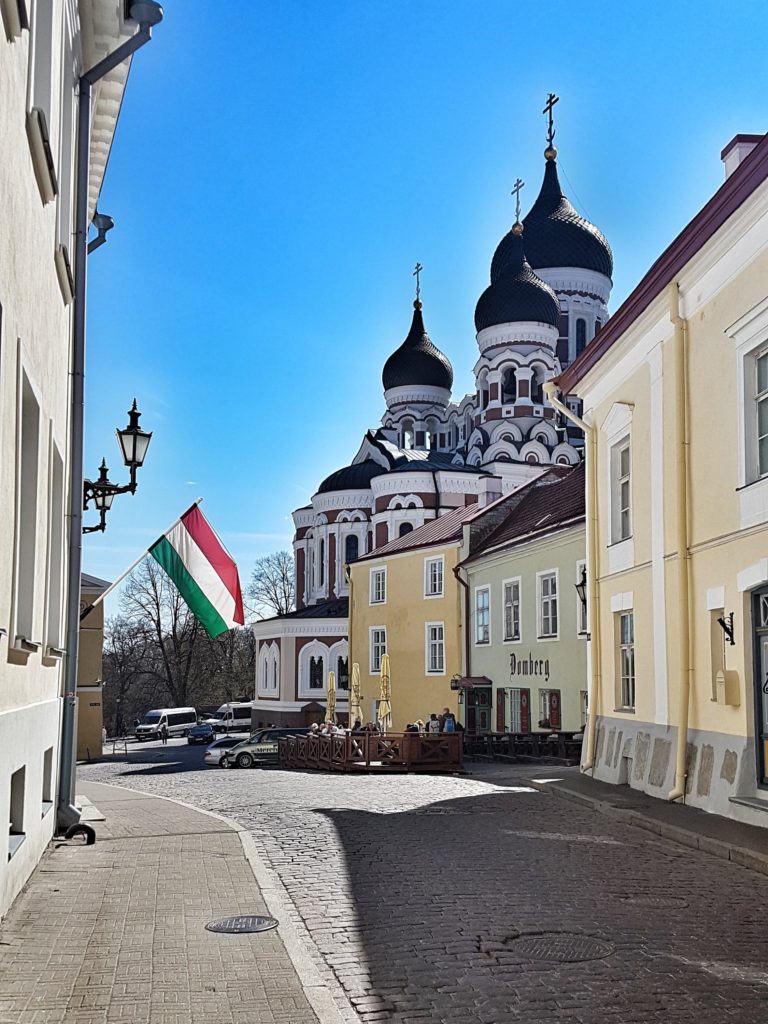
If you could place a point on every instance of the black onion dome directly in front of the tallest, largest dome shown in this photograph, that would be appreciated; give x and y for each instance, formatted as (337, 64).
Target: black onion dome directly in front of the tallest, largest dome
(516, 294)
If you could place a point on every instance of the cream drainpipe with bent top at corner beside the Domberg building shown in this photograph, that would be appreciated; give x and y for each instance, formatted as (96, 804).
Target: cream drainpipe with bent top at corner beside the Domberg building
(593, 591)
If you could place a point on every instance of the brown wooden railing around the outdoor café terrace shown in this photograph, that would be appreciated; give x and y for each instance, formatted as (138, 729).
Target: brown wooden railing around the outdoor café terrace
(369, 752)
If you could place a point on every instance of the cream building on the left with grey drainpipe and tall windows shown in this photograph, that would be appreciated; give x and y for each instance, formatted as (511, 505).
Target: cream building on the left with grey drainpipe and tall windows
(41, 58)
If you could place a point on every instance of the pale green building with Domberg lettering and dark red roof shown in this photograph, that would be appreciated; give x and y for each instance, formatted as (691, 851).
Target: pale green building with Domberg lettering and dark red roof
(527, 652)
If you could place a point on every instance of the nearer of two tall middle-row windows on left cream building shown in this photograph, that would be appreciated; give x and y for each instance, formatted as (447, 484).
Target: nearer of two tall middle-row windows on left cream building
(27, 523)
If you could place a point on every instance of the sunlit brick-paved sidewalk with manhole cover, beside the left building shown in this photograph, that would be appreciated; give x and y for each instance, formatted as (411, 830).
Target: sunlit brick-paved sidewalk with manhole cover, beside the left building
(115, 933)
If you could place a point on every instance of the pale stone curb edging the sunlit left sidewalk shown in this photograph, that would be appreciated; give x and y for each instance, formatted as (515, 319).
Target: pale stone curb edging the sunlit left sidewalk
(278, 903)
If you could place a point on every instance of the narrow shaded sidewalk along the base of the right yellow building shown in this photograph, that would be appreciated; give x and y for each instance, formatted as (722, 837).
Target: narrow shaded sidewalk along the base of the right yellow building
(746, 845)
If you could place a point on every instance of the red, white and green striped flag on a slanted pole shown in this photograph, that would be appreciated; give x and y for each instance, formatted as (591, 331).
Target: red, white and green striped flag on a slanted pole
(203, 572)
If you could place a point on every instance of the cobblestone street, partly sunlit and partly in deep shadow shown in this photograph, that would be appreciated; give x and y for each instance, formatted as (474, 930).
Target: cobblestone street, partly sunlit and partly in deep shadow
(479, 901)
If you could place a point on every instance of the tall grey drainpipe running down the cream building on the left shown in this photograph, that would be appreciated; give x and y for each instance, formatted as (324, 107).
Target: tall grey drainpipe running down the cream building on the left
(147, 15)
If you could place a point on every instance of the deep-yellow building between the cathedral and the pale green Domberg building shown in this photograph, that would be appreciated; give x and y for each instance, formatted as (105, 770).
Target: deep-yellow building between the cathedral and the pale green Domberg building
(405, 601)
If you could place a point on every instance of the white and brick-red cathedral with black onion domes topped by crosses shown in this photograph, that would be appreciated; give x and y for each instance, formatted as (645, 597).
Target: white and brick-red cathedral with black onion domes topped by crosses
(550, 284)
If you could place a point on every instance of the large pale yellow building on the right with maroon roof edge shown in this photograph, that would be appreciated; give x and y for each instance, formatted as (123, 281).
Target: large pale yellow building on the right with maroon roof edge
(675, 393)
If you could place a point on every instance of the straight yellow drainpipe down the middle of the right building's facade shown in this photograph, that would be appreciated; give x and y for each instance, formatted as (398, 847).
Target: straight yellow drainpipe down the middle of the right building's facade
(684, 539)
